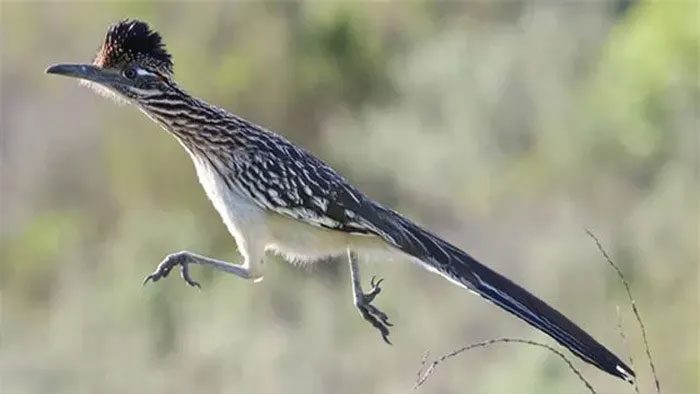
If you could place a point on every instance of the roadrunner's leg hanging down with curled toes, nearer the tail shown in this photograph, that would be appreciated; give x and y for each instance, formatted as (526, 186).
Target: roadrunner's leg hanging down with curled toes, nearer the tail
(363, 301)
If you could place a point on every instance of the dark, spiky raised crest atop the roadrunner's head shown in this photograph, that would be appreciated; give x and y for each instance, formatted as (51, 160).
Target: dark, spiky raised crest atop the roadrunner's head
(132, 40)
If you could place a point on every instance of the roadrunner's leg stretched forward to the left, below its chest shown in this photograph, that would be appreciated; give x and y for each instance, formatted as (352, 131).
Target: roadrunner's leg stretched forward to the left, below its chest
(184, 258)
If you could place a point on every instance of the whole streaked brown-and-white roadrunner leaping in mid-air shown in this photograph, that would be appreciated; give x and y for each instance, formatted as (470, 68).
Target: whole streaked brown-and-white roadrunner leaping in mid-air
(275, 196)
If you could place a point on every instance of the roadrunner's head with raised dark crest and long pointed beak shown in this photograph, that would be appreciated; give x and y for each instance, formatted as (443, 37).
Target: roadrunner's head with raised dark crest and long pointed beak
(132, 64)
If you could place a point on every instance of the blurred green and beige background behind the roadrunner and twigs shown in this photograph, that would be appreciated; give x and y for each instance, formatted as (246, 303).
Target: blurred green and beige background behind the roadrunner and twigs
(506, 127)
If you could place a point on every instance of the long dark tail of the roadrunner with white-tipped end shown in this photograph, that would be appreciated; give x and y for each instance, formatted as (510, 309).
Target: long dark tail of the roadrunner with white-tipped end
(459, 267)
